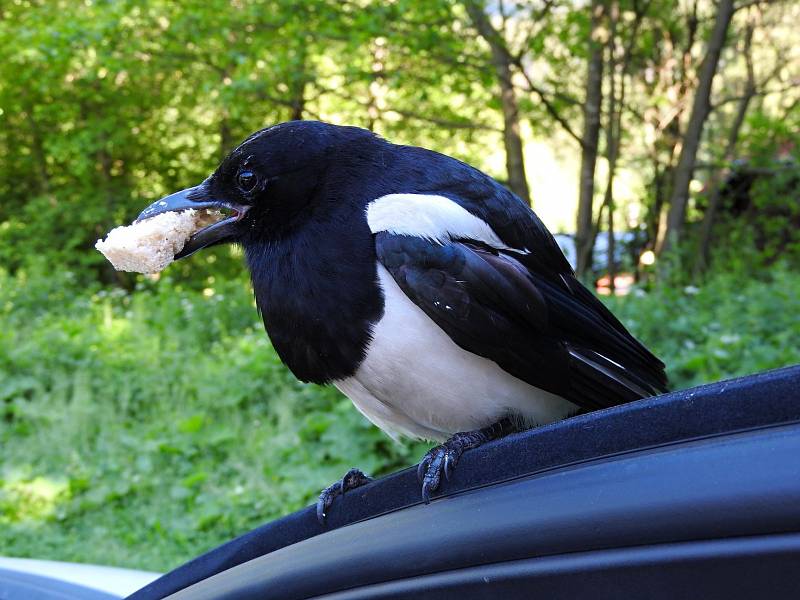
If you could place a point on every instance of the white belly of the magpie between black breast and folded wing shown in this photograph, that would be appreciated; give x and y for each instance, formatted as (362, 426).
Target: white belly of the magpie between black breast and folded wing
(416, 381)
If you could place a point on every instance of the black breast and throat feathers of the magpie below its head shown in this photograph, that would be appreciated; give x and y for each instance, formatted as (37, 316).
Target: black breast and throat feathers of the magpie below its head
(318, 296)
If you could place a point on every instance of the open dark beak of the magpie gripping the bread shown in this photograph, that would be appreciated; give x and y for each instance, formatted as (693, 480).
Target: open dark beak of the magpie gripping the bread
(198, 197)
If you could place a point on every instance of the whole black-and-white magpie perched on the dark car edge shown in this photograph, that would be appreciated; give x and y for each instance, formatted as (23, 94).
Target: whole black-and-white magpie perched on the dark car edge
(428, 293)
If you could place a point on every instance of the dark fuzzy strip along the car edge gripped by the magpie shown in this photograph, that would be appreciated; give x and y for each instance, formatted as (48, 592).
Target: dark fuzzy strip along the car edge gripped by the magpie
(753, 402)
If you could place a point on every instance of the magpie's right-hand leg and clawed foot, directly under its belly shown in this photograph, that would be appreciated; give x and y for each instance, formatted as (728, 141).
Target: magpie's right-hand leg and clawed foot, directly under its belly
(443, 459)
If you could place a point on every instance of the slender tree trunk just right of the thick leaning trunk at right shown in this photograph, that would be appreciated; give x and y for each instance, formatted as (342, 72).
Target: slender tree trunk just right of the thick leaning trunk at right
(730, 153)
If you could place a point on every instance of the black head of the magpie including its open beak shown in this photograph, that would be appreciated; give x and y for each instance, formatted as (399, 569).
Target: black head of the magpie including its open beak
(265, 185)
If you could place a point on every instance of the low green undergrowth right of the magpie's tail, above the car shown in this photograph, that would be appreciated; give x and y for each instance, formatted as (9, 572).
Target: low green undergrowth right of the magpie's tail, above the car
(730, 325)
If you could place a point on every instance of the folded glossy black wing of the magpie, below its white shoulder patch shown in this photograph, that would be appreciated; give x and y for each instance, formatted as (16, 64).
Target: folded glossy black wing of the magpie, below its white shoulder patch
(536, 322)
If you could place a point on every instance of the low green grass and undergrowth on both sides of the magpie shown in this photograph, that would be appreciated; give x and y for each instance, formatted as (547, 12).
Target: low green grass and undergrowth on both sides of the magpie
(142, 429)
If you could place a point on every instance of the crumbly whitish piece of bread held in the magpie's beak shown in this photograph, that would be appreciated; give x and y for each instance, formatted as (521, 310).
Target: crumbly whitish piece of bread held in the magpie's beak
(148, 246)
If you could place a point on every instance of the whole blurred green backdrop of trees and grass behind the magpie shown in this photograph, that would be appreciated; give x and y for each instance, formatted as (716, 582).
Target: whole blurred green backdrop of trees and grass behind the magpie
(145, 420)
